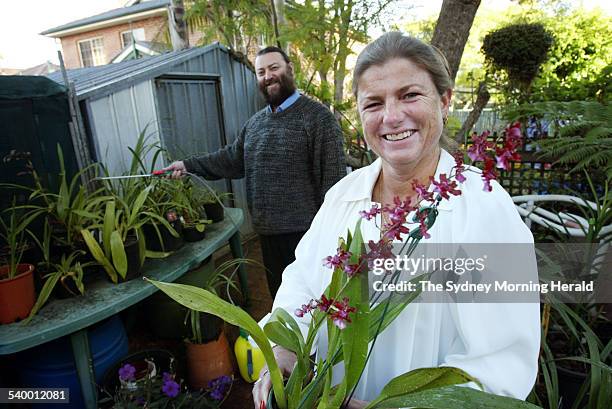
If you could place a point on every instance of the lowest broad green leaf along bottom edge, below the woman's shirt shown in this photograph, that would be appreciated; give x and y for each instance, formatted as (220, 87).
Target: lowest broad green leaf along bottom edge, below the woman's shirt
(453, 397)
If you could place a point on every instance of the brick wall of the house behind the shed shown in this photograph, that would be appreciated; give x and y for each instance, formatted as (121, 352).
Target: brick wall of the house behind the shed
(111, 36)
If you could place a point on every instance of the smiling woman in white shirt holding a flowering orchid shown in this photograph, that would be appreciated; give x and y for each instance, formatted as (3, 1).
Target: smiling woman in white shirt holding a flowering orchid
(403, 92)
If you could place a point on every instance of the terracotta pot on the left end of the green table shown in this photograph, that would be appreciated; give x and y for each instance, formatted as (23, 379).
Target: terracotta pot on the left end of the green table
(16, 294)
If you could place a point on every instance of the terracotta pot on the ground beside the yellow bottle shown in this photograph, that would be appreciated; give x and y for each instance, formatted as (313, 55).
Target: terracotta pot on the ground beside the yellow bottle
(209, 361)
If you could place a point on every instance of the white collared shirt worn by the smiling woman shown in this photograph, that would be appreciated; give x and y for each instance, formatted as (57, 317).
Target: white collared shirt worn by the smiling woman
(495, 343)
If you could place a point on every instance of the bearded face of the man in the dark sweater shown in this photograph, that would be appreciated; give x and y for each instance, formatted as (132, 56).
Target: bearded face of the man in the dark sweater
(274, 78)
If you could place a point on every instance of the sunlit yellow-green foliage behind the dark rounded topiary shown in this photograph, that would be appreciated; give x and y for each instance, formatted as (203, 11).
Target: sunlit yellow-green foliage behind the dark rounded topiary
(579, 61)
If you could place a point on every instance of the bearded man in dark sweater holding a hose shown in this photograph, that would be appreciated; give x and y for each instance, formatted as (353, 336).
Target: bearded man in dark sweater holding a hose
(290, 153)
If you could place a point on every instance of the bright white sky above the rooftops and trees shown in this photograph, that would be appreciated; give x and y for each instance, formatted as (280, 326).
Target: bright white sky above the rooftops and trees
(20, 22)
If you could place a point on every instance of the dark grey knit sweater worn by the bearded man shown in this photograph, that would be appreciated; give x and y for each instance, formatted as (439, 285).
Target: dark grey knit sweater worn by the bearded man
(290, 159)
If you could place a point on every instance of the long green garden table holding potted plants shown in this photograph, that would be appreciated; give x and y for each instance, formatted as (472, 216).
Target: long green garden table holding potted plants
(103, 299)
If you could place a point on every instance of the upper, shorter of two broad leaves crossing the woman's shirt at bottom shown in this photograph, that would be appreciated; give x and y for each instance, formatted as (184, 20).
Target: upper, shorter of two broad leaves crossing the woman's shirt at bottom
(422, 379)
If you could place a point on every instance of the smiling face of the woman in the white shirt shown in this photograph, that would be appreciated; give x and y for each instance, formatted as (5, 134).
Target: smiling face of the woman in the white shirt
(401, 112)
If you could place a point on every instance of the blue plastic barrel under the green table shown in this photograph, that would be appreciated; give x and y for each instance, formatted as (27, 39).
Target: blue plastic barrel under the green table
(51, 365)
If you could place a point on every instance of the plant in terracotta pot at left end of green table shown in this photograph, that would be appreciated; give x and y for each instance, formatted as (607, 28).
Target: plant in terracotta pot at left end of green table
(16, 279)
